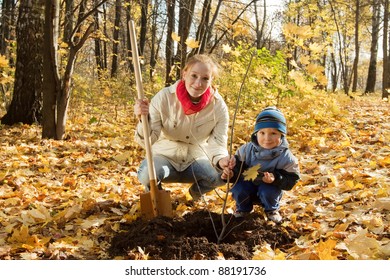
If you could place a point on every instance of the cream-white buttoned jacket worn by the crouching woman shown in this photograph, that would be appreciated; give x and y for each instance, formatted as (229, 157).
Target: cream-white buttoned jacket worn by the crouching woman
(183, 138)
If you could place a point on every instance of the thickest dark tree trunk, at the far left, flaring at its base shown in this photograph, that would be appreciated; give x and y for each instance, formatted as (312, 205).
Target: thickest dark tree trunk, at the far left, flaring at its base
(26, 102)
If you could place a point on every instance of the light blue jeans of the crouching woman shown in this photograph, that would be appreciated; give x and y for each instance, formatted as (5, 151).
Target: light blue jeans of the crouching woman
(200, 173)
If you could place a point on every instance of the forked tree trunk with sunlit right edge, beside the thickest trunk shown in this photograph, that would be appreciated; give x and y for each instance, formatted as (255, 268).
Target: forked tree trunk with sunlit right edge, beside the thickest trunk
(57, 91)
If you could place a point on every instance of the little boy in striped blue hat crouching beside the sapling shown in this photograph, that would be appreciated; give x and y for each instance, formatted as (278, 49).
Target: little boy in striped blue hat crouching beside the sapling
(278, 167)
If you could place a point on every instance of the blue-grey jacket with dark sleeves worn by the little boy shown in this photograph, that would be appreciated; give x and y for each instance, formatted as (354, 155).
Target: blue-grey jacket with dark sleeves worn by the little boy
(278, 161)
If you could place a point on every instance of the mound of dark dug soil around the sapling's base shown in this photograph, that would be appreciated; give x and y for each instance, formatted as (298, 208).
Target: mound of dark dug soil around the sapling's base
(195, 236)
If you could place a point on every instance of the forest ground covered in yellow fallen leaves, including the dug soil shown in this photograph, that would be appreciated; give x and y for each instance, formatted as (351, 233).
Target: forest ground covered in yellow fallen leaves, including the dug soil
(79, 198)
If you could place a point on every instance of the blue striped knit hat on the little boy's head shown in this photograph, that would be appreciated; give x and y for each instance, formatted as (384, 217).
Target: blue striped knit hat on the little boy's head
(270, 117)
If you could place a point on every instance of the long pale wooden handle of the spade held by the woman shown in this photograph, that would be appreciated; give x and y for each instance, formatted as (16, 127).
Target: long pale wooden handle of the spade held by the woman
(144, 118)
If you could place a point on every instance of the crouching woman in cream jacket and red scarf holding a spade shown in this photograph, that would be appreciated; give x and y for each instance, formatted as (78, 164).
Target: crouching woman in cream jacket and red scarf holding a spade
(188, 127)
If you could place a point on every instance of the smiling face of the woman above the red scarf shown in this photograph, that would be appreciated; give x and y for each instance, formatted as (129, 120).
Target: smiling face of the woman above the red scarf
(197, 79)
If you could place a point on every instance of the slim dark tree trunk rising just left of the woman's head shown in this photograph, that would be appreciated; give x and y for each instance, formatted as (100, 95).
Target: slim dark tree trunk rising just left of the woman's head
(169, 46)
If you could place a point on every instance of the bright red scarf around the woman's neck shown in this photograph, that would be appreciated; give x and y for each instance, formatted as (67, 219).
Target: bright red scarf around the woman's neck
(188, 106)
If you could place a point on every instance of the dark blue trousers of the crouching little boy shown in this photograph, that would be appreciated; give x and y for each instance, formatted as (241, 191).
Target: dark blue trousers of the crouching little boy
(245, 193)
